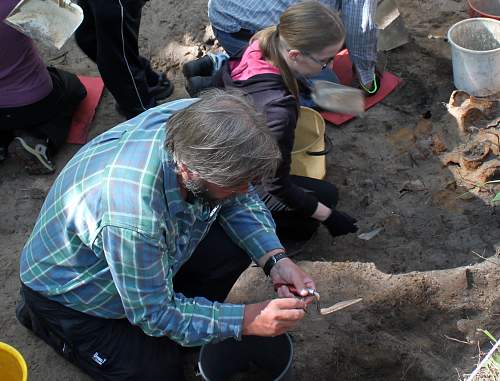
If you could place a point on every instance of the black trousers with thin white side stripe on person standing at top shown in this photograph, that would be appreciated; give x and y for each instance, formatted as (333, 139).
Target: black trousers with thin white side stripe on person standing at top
(109, 36)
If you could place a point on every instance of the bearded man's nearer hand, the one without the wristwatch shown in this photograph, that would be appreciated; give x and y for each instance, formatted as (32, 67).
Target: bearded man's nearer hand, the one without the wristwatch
(272, 318)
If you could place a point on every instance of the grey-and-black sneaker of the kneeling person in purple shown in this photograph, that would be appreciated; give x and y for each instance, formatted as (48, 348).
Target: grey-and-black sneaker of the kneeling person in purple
(34, 153)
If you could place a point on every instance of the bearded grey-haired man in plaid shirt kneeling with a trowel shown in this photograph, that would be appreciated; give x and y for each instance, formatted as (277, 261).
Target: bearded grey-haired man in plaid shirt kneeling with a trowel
(144, 233)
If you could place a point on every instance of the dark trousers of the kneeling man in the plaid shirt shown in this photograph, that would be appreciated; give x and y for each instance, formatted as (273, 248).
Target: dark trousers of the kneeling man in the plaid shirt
(114, 349)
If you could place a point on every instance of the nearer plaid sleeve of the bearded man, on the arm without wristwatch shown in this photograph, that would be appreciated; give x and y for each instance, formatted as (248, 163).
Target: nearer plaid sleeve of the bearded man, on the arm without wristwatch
(141, 271)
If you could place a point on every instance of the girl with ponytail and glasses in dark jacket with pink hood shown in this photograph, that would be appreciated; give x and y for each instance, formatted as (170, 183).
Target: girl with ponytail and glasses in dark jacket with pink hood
(305, 41)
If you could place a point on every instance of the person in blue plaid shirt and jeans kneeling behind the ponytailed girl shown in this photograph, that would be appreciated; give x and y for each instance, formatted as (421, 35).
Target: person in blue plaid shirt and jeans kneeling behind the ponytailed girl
(234, 22)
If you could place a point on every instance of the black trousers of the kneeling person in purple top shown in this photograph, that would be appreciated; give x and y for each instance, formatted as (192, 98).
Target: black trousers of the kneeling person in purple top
(50, 118)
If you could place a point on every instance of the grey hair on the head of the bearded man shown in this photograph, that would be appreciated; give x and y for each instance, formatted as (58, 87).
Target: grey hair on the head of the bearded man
(223, 139)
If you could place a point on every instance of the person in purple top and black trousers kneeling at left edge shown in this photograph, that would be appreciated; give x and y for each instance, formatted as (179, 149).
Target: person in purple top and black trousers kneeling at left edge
(36, 102)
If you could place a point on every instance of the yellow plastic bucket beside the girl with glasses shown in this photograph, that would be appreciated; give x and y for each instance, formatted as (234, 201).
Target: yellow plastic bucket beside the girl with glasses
(308, 154)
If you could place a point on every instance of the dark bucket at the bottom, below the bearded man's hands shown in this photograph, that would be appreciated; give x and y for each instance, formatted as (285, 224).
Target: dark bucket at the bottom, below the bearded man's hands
(254, 357)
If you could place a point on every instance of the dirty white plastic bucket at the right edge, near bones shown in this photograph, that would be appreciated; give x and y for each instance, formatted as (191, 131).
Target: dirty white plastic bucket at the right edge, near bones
(475, 54)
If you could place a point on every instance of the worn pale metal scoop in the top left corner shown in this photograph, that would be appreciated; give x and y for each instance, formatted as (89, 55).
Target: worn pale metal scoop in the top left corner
(49, 21)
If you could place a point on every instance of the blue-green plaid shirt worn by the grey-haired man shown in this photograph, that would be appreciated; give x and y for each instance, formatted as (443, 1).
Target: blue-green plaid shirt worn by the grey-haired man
(114, 230)
